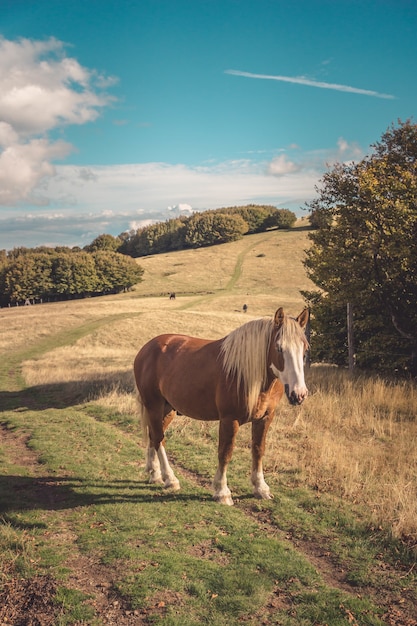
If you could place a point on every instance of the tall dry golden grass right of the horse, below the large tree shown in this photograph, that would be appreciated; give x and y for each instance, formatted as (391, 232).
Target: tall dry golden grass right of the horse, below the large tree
(355, 437)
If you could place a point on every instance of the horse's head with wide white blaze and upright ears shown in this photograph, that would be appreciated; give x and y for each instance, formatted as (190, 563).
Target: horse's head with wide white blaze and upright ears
(287, 354)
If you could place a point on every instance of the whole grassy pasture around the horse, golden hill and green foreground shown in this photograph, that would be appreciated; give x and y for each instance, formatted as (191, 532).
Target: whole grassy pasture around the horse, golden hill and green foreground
(84, 539)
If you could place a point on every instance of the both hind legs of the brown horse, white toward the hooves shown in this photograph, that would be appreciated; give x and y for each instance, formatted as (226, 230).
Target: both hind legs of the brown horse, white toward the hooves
(157, 461)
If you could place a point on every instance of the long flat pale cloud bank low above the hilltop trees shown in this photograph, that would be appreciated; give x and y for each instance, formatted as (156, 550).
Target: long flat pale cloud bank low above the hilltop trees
(86, 202)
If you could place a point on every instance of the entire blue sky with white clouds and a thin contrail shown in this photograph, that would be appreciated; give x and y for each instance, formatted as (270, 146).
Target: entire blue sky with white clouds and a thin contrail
(118, 113)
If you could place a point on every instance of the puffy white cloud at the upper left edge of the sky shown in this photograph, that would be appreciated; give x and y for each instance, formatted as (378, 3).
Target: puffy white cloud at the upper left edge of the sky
(41, 89)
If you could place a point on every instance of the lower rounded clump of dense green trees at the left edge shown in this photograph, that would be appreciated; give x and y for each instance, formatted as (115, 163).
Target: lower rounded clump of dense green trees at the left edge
(48, 274)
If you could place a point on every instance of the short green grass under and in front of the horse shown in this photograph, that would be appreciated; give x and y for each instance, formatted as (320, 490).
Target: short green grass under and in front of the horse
(219, 563)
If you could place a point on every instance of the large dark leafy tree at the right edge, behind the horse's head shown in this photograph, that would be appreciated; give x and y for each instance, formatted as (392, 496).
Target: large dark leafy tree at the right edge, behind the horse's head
(365, 248)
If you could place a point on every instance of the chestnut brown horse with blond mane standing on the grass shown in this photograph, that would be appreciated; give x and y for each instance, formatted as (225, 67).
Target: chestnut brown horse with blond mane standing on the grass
(237, 379)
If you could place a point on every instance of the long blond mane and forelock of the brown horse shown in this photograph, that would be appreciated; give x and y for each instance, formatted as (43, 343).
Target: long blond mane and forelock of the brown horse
(245, 349)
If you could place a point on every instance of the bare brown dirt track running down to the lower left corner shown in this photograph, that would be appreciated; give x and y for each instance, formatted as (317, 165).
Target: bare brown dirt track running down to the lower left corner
(32, 601)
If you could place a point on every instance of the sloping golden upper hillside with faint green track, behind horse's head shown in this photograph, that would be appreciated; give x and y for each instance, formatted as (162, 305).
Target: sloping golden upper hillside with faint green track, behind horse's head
(263, 271)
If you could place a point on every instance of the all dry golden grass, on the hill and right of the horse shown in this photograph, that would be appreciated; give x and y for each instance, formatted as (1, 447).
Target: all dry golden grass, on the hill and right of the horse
(353, 436)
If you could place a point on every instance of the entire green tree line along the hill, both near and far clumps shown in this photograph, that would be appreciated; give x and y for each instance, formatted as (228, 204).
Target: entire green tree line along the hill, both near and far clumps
(107, 265)
